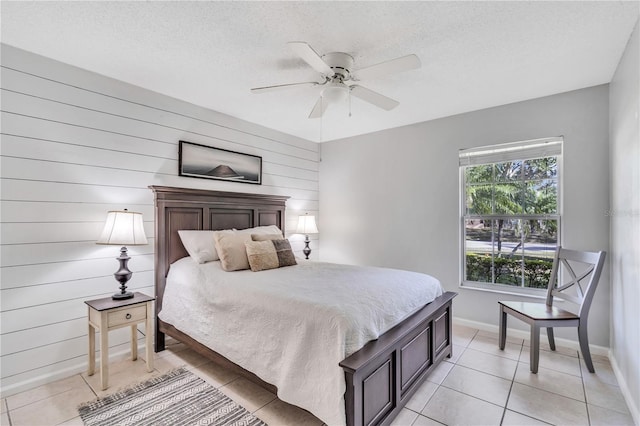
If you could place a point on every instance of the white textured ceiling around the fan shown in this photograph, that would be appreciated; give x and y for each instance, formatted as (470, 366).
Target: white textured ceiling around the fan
(474, 54)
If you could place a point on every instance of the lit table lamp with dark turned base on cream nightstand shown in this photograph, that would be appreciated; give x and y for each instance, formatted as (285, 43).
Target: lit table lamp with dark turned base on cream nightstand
(123, 228)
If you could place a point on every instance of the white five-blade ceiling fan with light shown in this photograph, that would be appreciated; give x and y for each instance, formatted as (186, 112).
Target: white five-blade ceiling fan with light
(336, 69)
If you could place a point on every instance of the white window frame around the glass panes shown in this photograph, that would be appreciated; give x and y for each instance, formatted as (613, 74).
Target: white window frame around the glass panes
(511, 150)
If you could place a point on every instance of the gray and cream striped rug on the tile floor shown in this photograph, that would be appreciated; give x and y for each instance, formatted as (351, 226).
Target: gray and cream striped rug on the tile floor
(176, 398)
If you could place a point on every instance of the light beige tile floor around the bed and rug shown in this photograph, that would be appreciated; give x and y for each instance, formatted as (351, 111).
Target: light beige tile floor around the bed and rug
(478, 385)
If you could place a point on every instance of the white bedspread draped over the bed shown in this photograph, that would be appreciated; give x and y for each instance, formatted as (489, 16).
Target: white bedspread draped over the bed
(292, 326)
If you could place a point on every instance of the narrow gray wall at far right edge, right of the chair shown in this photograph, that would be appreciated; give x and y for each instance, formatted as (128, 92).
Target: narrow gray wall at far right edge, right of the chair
(625, 221)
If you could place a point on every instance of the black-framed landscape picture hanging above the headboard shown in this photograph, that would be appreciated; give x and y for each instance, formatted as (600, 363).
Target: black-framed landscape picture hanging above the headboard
(207, 162)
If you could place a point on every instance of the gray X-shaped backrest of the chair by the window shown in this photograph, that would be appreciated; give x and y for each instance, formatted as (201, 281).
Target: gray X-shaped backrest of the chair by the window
(583, 282)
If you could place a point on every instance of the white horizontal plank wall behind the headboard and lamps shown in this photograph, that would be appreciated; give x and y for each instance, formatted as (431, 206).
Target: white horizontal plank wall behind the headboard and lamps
(76, 144)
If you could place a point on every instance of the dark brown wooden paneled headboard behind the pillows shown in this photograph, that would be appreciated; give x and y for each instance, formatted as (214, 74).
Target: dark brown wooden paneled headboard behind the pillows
(185, 208)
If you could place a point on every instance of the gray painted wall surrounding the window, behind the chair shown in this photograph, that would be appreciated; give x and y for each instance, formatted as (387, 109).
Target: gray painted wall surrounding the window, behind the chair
(391, 198)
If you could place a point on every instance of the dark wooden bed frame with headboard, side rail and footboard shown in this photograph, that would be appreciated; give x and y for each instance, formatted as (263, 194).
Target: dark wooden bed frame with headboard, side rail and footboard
(379, 378)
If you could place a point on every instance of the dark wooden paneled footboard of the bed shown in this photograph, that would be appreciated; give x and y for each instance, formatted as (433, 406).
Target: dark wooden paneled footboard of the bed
(383, 375)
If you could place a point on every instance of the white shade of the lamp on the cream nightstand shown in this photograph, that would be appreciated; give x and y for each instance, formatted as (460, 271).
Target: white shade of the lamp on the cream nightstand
(123, 228)
